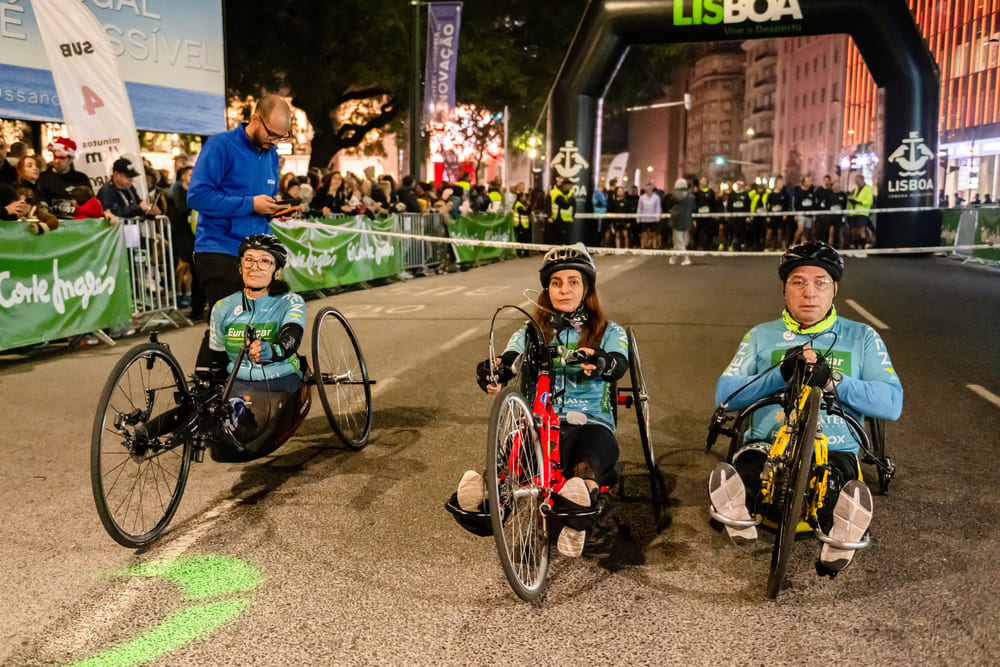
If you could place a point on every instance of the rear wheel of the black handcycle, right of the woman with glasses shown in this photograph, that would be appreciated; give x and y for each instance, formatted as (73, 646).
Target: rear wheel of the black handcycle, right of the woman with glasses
(342, 377)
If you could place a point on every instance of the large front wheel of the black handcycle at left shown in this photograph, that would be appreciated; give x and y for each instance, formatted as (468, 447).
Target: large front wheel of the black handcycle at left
(138, 470)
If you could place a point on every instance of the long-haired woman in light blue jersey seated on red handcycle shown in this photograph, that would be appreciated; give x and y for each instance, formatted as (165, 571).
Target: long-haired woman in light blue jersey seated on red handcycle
(570, 314)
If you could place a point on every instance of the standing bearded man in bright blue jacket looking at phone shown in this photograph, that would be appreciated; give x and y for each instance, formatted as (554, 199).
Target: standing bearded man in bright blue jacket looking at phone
(232, 187)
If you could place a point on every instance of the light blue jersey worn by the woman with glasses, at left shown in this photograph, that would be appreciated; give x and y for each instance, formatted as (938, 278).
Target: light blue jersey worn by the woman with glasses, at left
(267, 314)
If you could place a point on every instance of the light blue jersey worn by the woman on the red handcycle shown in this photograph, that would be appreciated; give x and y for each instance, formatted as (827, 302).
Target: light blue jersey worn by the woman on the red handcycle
(592, 397)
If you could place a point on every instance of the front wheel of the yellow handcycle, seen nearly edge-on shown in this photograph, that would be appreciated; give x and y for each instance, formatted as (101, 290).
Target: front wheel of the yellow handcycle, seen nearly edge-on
(802, 447)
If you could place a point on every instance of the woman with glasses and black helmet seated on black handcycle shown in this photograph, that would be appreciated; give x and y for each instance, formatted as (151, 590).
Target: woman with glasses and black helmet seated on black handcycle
(271, 318)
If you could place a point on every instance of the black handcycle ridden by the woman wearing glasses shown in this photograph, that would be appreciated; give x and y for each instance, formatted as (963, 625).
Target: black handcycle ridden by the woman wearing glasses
(152, 422)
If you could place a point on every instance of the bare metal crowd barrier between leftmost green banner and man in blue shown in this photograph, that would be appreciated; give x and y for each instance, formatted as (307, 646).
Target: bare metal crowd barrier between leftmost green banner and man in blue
(152, 271)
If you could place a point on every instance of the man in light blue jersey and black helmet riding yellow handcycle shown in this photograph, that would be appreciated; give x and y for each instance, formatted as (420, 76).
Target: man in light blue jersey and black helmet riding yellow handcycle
(854, 364)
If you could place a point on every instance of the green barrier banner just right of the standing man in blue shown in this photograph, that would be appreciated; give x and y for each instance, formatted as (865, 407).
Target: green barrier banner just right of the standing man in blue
(320, 258)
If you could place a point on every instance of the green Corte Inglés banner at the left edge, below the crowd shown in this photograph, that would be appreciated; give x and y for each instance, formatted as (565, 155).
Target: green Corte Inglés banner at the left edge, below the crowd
(70, 281)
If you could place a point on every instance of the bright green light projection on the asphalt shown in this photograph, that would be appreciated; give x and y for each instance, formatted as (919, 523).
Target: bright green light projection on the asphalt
(199, 577)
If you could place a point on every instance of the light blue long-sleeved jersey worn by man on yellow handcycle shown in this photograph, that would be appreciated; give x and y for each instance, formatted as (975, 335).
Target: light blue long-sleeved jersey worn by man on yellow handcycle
(870, 385)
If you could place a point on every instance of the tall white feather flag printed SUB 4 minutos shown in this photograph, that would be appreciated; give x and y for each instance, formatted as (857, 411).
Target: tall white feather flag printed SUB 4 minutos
(92, 94)
